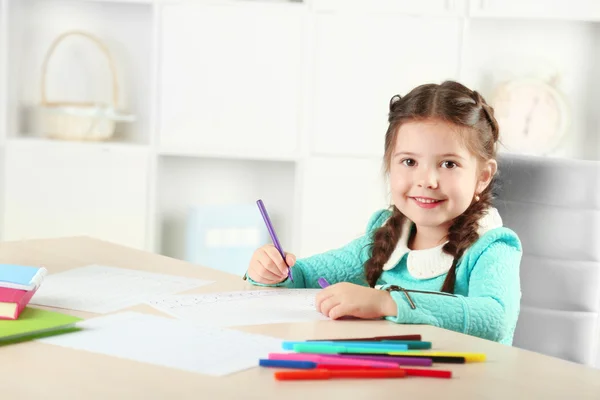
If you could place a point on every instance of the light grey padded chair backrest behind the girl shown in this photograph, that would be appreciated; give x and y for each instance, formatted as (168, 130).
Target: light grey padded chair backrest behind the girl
(554, 206)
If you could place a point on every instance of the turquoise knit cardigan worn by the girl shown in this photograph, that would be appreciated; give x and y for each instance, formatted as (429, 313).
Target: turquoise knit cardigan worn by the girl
(487, 294)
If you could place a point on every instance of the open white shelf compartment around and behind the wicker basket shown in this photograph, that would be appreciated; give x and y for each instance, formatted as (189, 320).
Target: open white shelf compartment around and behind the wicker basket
(78, 71)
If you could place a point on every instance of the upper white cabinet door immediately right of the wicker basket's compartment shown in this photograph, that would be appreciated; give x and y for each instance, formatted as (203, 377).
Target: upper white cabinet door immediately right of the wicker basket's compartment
(230, 80)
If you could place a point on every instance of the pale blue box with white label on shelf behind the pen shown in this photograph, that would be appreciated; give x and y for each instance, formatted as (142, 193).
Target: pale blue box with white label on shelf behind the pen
(224, 237)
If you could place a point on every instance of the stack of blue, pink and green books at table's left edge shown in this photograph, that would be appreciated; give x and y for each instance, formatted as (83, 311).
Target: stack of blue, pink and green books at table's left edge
(18, 322)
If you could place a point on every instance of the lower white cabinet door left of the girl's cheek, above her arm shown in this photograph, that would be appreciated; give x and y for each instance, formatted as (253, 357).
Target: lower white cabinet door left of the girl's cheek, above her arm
(338, 196)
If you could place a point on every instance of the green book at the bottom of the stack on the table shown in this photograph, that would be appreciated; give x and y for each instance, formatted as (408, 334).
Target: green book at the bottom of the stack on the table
(35, 323)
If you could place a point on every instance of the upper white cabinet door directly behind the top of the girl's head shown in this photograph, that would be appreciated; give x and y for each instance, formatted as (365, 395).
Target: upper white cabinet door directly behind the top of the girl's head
(361, 62)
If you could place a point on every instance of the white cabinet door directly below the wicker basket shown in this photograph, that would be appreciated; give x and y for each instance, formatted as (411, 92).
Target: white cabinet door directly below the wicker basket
(71, 189)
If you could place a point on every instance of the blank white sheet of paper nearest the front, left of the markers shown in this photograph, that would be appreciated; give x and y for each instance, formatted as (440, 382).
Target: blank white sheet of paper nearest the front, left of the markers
(169, 342)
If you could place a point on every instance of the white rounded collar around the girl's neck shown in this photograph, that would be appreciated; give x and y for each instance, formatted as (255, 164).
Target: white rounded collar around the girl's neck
(429, 263)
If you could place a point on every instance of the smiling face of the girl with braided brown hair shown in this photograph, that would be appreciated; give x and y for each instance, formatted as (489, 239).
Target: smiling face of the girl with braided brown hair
(433, 175)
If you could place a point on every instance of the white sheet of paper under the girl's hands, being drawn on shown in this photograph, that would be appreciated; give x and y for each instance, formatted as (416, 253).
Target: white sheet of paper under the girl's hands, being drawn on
(252, 307)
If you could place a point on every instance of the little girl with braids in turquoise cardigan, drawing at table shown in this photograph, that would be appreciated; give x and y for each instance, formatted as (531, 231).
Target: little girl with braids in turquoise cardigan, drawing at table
(440, 255)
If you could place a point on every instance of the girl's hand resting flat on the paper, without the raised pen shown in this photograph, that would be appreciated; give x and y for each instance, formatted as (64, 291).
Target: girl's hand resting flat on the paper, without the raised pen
(347, 299)
